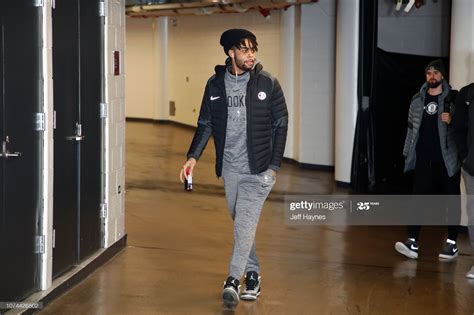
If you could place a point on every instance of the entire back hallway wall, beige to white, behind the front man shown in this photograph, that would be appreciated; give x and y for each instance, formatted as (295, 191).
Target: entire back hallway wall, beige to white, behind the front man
(294, 46)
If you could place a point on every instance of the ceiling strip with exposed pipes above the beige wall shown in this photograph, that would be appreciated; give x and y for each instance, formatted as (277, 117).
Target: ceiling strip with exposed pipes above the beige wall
(145, 8)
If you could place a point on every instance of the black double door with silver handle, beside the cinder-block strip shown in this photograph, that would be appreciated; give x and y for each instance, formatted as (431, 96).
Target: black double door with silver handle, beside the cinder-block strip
(77, 97)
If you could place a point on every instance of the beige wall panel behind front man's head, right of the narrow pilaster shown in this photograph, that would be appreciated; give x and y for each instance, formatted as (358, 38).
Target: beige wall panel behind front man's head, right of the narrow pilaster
(194, 51)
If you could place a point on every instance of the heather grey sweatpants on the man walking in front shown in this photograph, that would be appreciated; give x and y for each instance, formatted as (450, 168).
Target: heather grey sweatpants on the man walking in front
(245, 194)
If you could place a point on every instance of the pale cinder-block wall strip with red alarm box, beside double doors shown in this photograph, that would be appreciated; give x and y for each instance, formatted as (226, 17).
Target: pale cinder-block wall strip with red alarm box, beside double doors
(115, 122)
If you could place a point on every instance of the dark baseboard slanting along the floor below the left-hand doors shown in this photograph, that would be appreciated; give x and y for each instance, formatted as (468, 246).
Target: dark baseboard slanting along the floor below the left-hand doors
(71, 278)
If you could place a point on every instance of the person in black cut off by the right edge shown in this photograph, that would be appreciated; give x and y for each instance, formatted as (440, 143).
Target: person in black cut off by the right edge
(463, 123)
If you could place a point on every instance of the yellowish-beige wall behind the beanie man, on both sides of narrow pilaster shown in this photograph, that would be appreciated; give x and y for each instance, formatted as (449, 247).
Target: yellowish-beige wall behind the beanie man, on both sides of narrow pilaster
(192, 54)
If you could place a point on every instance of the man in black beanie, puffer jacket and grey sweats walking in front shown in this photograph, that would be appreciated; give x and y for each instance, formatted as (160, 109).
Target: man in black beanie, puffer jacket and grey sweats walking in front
(244, 109)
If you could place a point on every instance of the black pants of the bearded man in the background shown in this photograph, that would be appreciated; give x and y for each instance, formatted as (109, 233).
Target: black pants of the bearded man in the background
(431, 178)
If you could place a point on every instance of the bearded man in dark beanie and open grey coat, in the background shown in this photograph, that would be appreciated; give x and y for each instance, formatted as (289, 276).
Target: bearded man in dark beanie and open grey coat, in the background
(430, 150)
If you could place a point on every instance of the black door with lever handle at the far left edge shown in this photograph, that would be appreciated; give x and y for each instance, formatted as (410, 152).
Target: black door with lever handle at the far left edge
(20, 147)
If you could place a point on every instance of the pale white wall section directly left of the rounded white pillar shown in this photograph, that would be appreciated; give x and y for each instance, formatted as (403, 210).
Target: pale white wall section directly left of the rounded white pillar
(318, 44)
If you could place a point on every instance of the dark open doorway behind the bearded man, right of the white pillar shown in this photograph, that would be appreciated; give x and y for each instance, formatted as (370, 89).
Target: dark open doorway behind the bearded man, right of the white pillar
(388, 78)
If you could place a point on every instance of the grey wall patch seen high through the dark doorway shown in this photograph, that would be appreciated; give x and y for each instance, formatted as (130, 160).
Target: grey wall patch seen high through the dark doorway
(423, 31)
